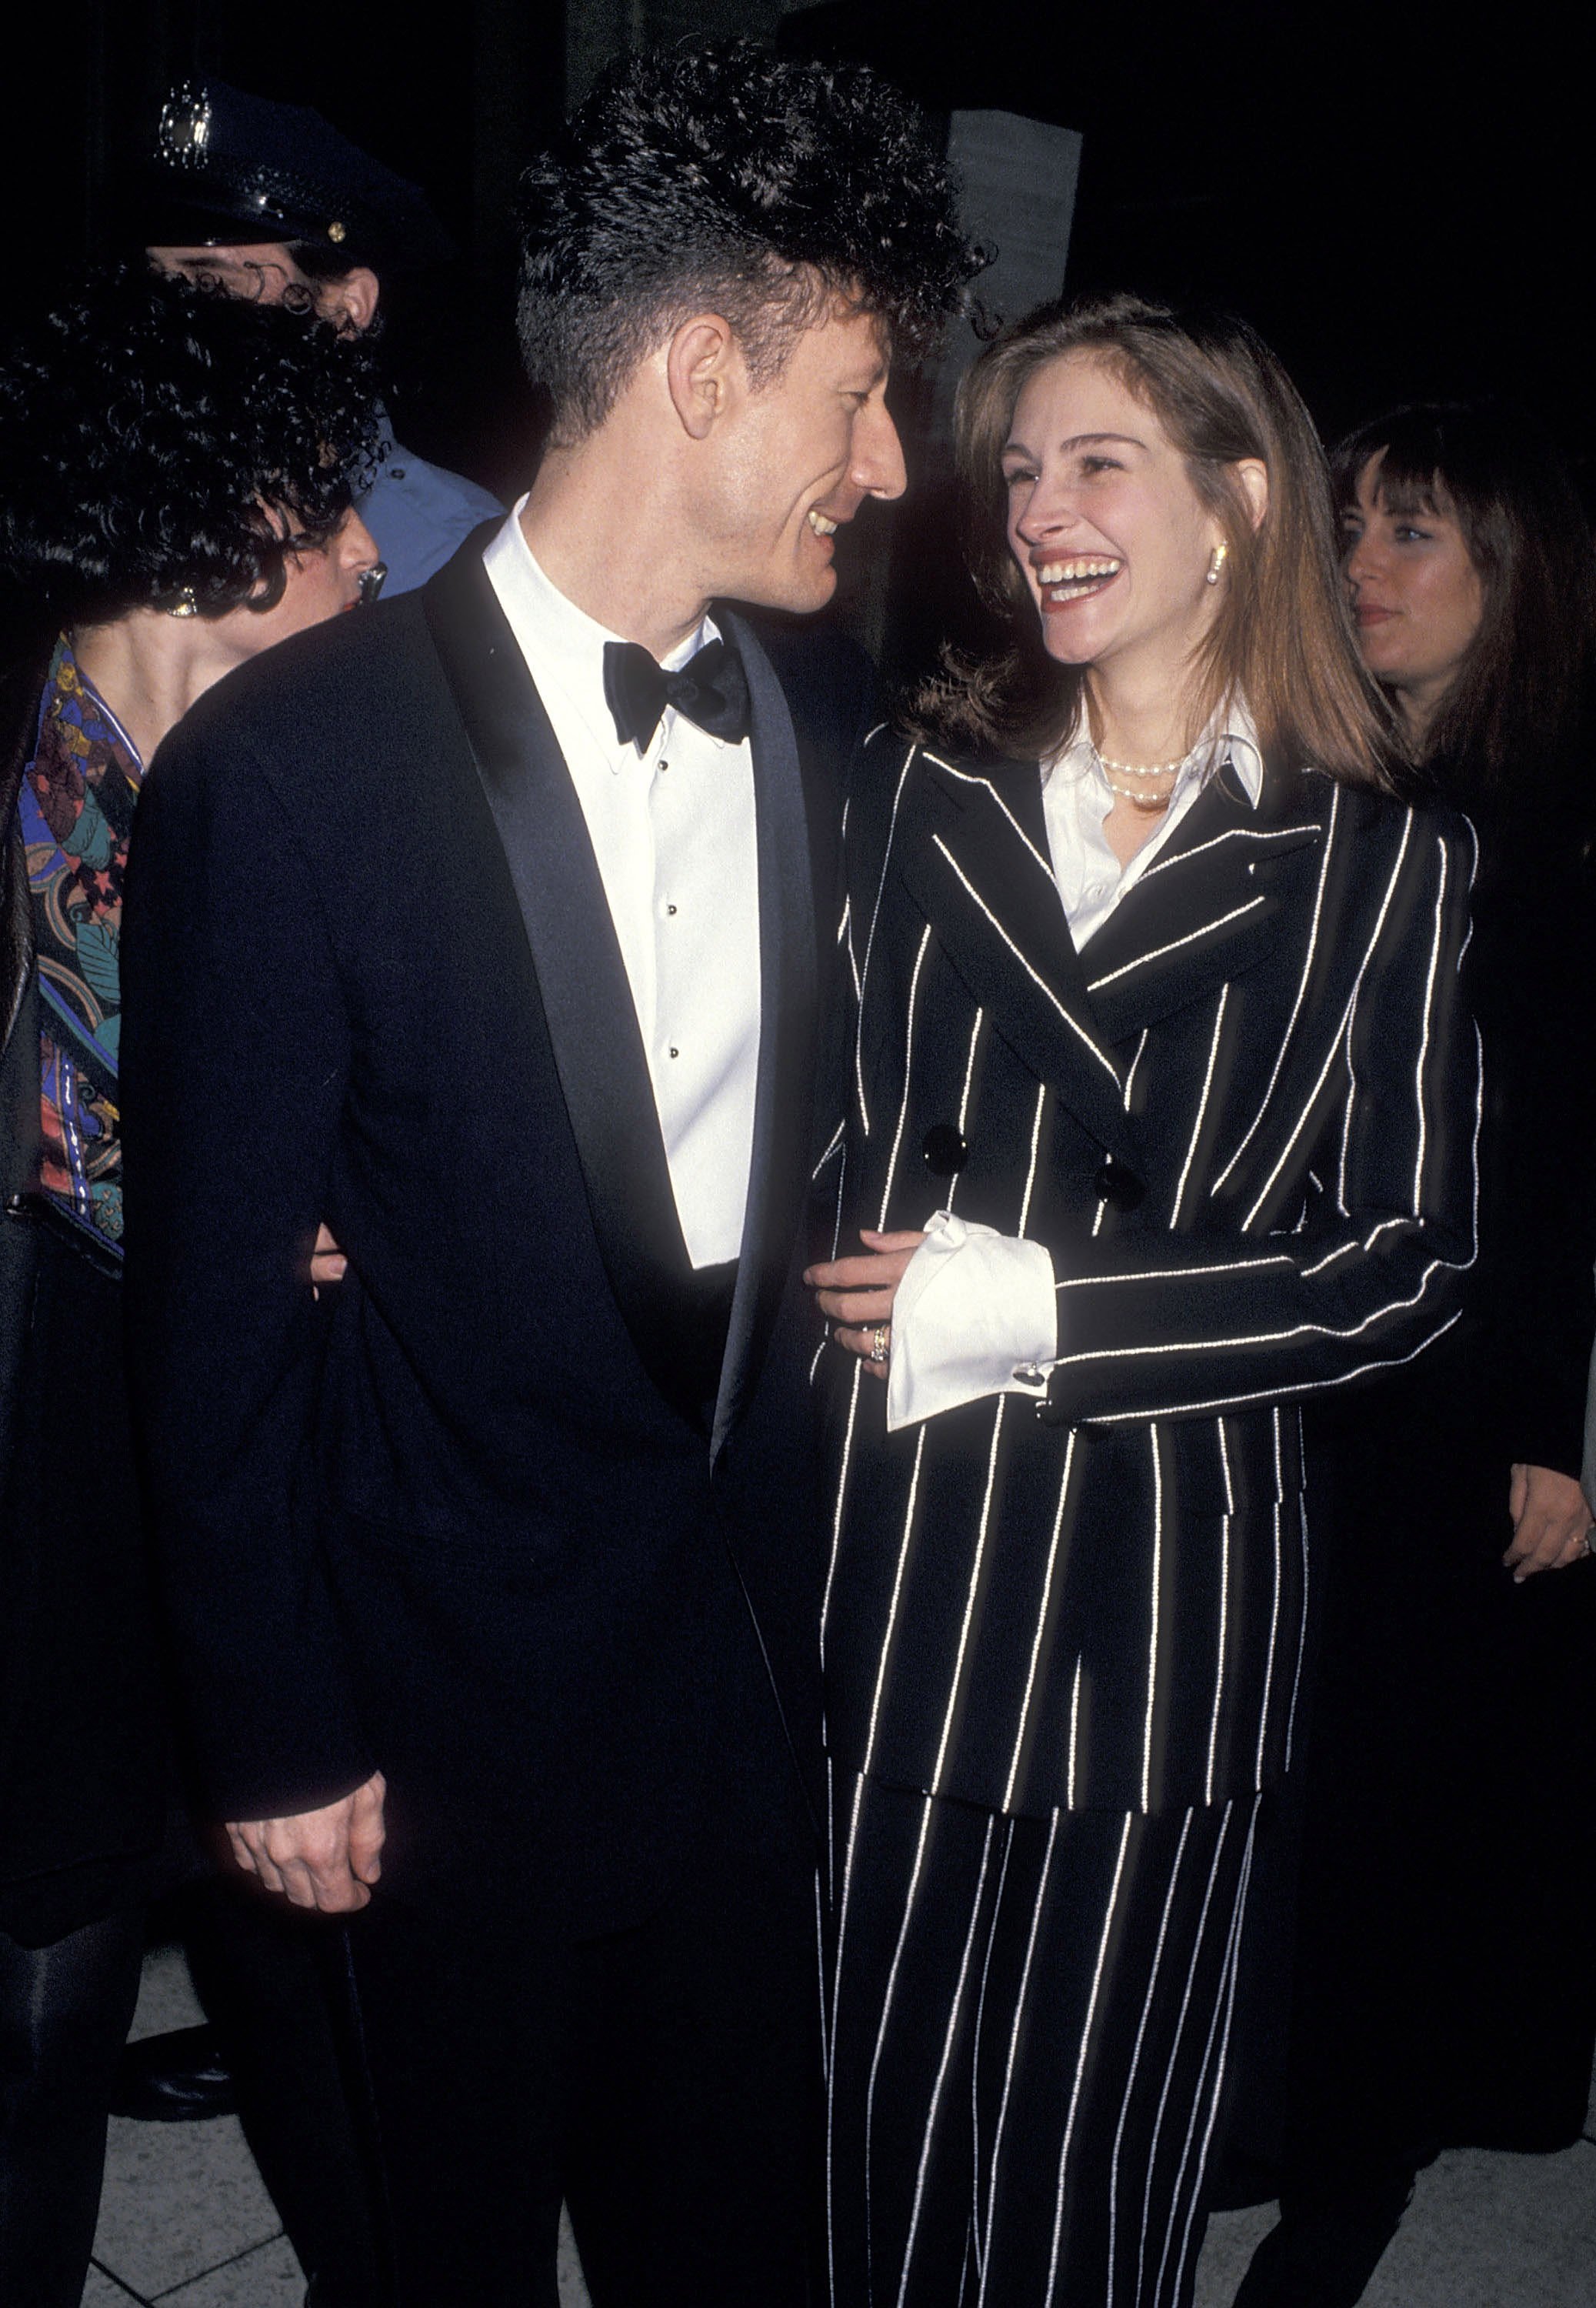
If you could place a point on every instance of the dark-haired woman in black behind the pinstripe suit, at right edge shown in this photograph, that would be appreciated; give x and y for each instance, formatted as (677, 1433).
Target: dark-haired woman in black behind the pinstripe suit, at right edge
(1445, 1991)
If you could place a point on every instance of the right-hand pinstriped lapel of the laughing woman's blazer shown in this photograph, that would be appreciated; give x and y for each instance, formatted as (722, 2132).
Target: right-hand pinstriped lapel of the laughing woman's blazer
(1210, 906)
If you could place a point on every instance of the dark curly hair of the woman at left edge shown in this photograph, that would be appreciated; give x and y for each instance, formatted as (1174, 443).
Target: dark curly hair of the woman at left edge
(163, 440)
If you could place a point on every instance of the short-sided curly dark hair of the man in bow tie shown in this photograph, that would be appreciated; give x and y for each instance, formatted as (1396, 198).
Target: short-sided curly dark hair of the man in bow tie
(725, 179)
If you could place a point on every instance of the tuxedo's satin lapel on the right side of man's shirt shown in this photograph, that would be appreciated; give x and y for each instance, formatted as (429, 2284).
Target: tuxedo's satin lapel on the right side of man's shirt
(788, 1024)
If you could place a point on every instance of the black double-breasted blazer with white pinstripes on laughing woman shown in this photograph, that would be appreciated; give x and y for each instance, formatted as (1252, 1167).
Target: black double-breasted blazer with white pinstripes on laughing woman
(1244, 1123)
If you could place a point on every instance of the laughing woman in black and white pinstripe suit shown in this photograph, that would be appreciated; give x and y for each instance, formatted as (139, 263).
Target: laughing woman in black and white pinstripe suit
(1161, 1121)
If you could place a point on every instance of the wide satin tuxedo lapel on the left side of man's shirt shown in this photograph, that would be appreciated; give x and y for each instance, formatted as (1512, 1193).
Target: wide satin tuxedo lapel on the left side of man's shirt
(582, 980)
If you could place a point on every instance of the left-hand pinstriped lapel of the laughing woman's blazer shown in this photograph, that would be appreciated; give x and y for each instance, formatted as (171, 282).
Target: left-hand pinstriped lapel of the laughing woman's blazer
(979, 869)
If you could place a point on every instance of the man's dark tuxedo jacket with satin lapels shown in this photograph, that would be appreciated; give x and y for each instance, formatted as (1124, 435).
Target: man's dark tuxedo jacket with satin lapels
(460, 1520)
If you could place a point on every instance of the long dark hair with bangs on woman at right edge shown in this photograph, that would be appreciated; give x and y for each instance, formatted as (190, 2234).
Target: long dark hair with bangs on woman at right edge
(1523, 703)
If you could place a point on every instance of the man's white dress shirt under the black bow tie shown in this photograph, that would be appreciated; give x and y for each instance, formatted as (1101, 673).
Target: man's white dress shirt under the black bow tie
(672, 830)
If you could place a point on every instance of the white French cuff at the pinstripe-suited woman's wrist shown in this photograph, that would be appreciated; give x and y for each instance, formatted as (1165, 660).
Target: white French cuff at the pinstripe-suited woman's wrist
(974, 1314)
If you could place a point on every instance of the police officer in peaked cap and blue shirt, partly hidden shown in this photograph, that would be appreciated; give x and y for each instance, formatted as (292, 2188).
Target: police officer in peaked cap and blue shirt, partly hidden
(271, 202)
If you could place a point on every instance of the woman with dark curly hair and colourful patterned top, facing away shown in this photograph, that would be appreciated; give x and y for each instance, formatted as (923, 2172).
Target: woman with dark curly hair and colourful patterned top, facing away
(176, 486)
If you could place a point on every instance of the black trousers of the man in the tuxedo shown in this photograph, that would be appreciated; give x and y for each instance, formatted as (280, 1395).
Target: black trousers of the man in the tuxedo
(661, 2078)
